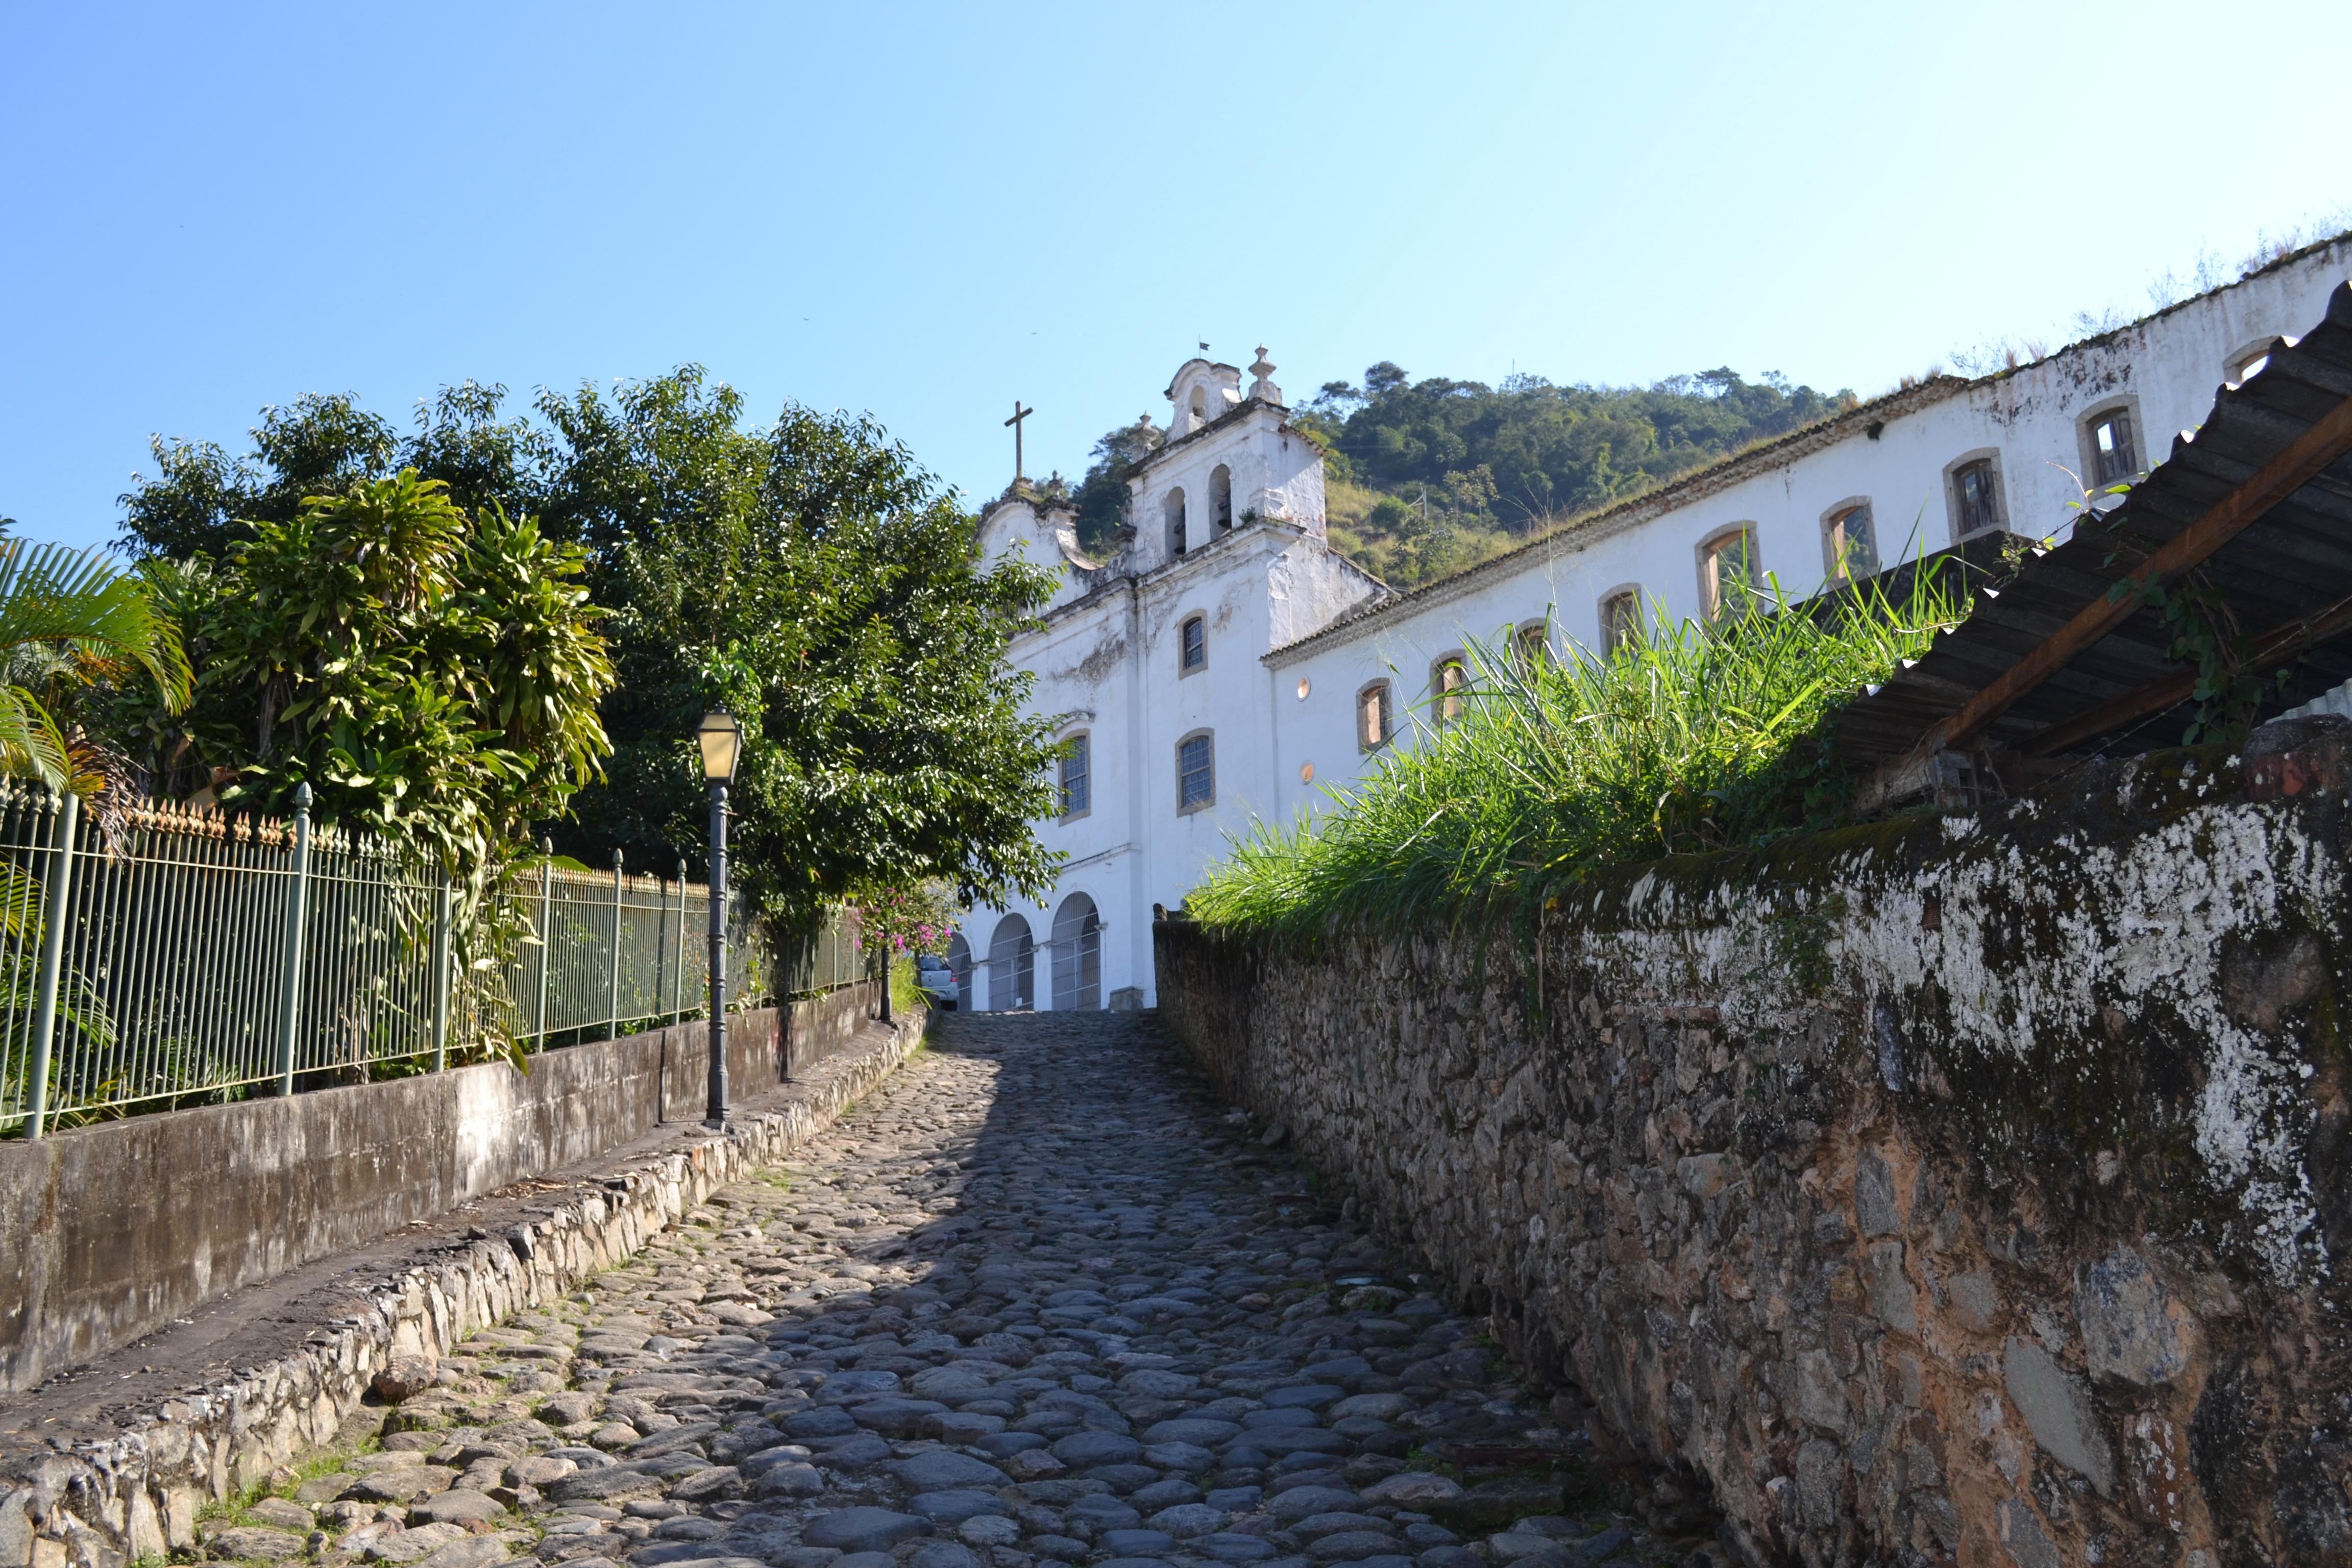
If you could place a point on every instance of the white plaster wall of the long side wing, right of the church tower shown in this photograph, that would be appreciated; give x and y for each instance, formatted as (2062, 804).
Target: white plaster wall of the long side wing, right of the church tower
(2031, 420)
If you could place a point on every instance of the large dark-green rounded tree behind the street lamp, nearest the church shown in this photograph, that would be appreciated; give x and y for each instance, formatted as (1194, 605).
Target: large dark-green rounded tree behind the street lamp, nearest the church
(824, 589)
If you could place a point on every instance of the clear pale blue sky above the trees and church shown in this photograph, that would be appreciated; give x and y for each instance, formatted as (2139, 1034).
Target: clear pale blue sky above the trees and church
(926, 213)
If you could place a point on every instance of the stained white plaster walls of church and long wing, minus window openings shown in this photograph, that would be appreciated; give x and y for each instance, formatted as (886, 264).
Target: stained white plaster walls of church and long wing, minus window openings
(1311, 617)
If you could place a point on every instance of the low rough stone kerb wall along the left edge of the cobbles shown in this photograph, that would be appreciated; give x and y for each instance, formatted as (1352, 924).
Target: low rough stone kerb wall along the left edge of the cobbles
(138, 1496)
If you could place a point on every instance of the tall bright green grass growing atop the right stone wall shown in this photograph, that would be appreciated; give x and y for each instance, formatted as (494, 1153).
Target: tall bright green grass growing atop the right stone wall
(1688, 739)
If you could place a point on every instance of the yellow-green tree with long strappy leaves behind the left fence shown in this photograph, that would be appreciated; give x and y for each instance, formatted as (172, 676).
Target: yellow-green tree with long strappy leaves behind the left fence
(427, 674)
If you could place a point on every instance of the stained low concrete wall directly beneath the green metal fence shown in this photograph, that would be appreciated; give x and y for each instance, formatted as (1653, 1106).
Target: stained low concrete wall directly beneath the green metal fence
(114, 1231)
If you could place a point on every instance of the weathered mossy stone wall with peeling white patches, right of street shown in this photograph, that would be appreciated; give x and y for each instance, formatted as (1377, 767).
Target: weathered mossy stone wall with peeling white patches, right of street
(1942, 1191)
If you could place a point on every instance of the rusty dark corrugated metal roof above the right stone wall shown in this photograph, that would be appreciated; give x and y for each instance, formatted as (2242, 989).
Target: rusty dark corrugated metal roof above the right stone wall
(2285, 579)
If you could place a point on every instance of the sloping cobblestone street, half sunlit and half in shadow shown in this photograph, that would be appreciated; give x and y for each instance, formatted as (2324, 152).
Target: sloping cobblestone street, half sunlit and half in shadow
(1036, 1301)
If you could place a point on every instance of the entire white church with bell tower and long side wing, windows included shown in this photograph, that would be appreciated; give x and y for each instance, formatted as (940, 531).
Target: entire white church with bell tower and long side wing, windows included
(1229, 664)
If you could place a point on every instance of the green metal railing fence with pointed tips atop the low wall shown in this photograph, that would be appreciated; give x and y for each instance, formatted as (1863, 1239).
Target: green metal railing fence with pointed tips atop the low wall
(201, 958)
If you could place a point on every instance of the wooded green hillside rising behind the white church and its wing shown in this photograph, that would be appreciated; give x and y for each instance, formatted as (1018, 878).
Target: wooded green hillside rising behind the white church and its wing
(1434, 476)
